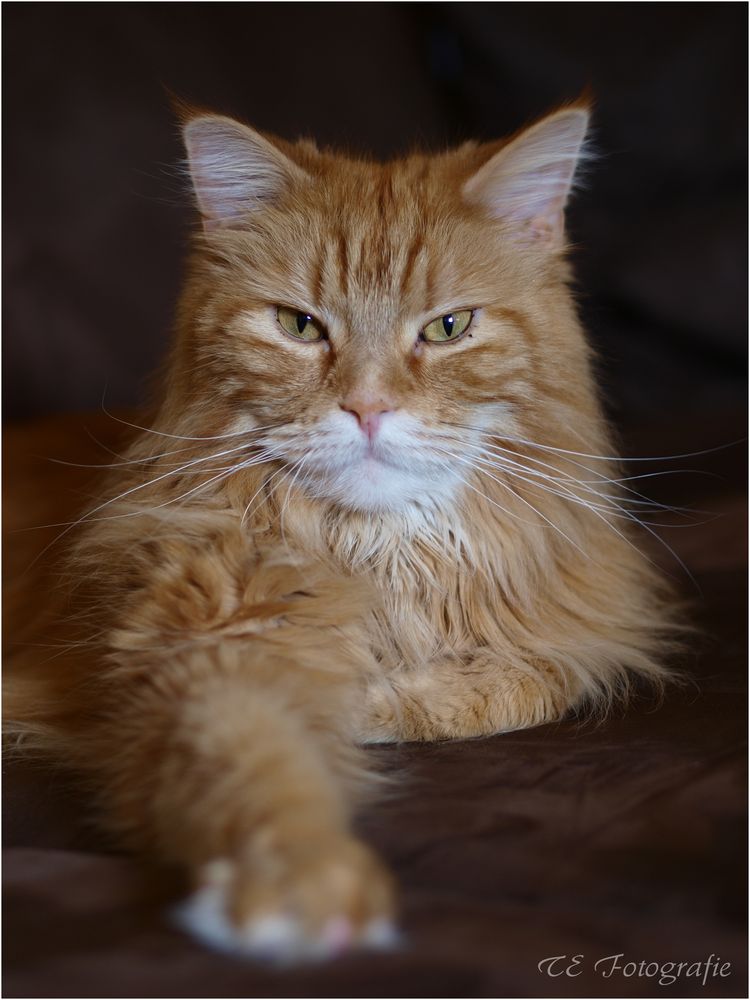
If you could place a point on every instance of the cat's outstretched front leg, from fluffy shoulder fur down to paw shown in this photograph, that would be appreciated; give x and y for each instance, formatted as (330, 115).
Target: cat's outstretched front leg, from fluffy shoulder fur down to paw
(225, 745)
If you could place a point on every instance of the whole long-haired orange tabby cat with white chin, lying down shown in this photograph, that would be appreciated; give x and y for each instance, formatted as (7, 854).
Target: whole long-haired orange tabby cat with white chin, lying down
(378, 503)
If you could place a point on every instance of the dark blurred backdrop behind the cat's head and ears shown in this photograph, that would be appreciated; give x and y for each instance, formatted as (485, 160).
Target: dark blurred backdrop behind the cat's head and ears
(97, 212)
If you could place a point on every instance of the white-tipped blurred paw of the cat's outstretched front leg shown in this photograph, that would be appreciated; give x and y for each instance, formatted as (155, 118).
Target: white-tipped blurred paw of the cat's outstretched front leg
(309, 904)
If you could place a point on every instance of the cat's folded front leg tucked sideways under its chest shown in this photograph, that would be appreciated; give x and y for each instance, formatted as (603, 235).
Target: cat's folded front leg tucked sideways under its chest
(459, 699)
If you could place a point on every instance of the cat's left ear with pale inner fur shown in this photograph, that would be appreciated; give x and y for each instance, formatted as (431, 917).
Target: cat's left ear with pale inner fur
(234, 169)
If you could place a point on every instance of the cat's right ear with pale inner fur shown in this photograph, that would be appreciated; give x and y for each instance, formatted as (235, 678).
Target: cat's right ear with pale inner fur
(528, 181)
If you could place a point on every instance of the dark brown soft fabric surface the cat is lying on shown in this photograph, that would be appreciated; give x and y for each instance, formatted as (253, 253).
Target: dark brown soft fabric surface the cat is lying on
(625, 839)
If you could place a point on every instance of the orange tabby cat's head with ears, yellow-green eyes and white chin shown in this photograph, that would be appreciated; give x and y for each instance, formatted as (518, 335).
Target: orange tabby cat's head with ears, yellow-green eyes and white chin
(378, 318)
